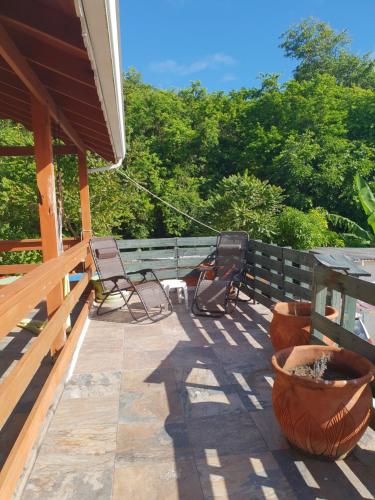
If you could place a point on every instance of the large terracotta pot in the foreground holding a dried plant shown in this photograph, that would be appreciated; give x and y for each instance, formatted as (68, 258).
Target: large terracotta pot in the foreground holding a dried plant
(323, 418)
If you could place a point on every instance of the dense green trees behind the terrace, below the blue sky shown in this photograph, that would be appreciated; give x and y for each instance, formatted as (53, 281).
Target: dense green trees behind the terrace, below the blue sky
(272, 160)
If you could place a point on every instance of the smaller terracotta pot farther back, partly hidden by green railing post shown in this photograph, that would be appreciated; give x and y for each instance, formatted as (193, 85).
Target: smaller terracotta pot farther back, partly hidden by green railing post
(290, 324)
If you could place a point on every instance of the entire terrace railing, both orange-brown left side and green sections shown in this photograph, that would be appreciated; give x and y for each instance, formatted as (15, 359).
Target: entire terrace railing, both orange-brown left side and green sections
(273, 274)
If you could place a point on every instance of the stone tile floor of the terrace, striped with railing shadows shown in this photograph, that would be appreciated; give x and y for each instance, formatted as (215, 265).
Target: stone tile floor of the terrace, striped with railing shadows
(181, 409)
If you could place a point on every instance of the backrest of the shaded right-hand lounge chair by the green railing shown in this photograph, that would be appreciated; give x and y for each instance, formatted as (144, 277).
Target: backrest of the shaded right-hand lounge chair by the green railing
(231, 253)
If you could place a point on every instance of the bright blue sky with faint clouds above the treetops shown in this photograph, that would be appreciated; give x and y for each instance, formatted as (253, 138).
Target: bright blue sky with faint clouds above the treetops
(226, 44)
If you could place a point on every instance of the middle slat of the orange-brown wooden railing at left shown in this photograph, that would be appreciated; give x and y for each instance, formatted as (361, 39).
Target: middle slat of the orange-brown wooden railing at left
(19, 378)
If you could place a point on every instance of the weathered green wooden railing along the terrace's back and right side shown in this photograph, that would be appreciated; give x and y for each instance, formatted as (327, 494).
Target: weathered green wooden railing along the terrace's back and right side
(273, 274)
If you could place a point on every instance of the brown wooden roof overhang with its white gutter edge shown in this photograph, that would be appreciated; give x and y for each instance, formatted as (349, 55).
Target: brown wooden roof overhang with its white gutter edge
(65, 53)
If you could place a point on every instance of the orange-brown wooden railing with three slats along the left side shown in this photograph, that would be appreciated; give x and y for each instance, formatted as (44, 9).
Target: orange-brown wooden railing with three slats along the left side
(17, 300)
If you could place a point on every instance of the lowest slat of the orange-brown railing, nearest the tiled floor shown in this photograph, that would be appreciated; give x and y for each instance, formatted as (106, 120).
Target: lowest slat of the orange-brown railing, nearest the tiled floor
(29, 434)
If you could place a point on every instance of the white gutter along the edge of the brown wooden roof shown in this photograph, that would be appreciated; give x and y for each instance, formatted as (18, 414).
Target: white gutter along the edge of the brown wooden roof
(101, 33)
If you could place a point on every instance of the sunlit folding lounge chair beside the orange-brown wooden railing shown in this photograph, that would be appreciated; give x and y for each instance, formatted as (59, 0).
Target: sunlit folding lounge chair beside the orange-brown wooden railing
(114, 278)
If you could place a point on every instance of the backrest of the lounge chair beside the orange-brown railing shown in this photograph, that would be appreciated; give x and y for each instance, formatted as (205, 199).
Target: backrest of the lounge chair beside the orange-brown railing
(107, 259)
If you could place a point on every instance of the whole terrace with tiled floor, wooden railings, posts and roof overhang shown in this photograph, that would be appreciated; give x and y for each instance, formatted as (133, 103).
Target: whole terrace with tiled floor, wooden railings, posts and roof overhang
(115, 409)
